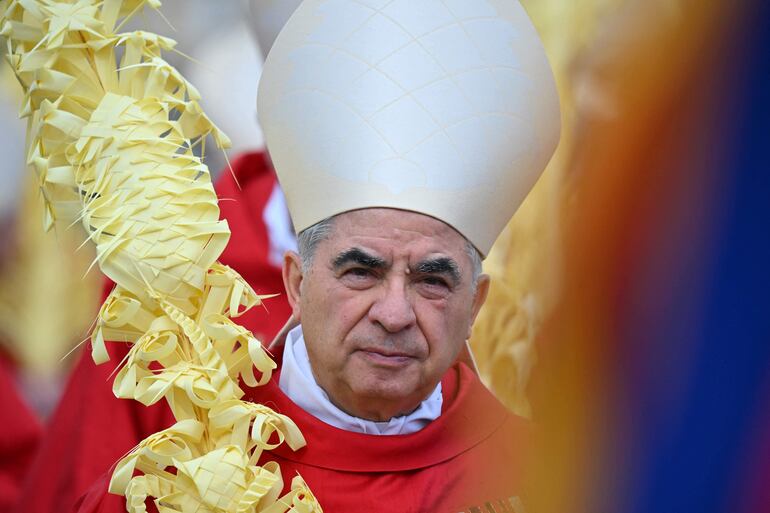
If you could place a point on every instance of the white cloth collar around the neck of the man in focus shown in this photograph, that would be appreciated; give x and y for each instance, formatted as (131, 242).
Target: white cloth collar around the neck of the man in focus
(297, 382)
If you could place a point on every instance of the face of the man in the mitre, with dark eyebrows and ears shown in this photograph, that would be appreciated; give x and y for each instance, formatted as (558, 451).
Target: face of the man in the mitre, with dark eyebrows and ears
(385, 307)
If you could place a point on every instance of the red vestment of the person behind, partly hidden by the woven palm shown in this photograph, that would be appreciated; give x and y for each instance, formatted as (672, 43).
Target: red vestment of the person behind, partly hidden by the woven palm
(91, 429)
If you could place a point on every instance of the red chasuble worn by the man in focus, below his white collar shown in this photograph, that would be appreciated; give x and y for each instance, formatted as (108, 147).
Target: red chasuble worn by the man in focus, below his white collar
(468, 460)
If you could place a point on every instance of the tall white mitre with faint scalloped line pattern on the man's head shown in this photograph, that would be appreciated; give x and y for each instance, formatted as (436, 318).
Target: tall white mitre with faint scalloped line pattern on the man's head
(443, 107)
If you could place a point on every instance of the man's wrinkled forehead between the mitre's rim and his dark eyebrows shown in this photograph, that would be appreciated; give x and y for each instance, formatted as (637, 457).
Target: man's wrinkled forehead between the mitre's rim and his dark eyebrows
(395, 233)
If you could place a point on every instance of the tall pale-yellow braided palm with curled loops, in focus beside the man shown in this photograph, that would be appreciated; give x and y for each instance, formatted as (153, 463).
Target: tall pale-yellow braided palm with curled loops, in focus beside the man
(113, 148)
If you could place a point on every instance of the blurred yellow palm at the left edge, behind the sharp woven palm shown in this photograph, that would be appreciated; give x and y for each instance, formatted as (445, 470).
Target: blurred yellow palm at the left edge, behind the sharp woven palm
(47, 301)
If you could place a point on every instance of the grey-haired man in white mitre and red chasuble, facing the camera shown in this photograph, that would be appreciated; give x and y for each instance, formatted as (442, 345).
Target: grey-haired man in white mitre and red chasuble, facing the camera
(404, 134)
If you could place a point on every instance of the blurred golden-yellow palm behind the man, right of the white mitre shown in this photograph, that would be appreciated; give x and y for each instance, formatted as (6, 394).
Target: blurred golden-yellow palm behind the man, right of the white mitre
(525, 261)
